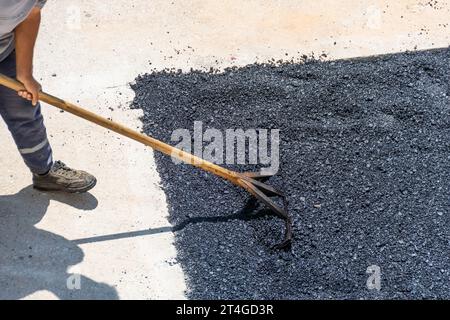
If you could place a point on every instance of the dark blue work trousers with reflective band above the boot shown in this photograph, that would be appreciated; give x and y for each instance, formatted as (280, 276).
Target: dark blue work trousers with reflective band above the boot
(25, 123)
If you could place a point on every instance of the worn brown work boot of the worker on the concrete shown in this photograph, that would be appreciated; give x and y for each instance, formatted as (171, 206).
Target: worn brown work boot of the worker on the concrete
(62, 178)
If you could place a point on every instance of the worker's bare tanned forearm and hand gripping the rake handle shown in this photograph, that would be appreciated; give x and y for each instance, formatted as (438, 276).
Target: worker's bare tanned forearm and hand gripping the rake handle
(25, 37)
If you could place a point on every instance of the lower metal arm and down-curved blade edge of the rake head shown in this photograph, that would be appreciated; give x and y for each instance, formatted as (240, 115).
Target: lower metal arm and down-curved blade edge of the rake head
(282, 213)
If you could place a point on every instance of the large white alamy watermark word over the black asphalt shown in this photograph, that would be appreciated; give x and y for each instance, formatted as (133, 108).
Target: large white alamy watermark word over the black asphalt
(231, 146)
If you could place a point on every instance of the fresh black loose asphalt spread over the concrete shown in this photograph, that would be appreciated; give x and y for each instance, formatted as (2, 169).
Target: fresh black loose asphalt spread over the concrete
(365, 165)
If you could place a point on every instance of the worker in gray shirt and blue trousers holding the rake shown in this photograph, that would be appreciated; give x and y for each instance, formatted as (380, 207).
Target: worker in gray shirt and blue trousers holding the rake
(19, 25)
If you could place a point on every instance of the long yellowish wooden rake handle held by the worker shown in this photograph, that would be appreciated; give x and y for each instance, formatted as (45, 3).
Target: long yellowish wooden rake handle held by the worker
(127, 132)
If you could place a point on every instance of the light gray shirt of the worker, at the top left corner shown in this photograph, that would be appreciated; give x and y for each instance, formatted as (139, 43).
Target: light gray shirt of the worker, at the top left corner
(12, 13)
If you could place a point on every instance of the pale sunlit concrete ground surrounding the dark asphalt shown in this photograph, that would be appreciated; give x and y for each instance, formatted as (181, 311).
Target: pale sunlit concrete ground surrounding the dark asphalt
(116, 240)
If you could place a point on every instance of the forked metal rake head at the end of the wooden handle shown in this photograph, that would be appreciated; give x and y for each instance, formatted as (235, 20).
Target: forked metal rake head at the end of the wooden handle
(252, 182)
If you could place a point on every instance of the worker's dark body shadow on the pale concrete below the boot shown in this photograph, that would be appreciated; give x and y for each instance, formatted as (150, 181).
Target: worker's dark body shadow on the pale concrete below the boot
(32, 259)
